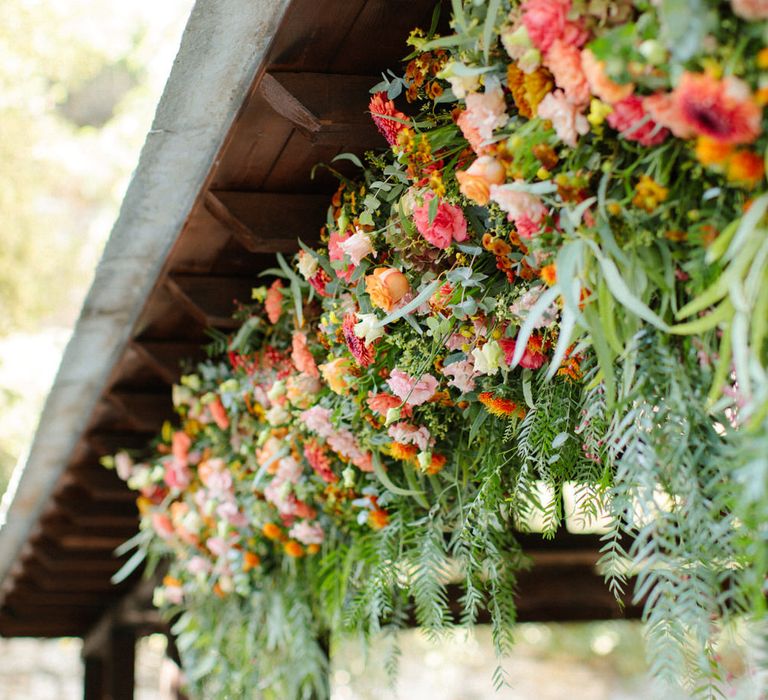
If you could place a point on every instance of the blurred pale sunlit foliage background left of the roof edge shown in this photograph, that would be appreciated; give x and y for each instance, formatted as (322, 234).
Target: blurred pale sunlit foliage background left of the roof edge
(79, 82)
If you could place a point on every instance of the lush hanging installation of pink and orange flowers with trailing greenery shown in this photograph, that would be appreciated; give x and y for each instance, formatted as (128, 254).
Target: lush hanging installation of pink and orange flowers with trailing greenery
(558, 272)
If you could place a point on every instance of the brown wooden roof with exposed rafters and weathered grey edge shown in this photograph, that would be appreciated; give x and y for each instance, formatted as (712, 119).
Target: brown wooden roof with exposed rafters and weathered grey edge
(256, 99)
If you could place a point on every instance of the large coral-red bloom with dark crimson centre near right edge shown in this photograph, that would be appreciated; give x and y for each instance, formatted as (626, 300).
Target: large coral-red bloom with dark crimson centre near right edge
(724, 110)
